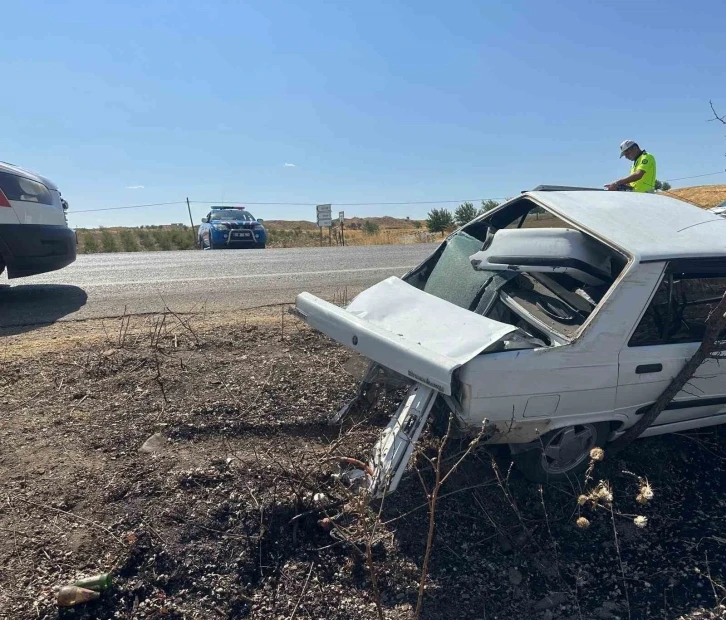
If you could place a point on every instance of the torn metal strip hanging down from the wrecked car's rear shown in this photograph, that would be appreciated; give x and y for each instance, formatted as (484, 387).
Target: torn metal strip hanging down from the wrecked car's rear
(395, 446)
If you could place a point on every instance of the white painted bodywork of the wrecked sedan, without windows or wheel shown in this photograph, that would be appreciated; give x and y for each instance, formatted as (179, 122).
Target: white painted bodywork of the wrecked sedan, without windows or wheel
(592, 374)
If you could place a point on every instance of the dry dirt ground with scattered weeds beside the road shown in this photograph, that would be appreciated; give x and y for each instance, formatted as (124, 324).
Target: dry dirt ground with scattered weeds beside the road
(224, 517)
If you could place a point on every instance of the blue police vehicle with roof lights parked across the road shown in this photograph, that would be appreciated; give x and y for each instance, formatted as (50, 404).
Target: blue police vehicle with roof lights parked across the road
(231, 227)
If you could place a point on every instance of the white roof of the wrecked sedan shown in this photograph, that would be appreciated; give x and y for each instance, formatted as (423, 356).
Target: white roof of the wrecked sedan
(647, 226)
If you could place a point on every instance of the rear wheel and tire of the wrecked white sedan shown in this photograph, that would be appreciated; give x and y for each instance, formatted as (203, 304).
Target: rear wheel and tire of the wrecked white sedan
(562, 453)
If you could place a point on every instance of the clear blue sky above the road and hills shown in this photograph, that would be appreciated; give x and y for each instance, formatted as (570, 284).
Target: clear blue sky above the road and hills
(147, 102)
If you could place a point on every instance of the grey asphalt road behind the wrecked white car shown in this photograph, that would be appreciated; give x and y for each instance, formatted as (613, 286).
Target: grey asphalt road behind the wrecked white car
(107, 285)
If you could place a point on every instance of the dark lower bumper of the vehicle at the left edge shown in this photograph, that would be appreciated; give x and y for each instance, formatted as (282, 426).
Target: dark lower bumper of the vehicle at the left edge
(29, 249)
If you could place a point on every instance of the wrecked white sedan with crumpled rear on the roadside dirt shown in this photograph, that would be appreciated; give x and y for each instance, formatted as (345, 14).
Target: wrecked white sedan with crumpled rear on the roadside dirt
(553, 322)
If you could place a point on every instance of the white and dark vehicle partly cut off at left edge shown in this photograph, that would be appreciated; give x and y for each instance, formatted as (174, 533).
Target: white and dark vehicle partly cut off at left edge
(34, 233)
